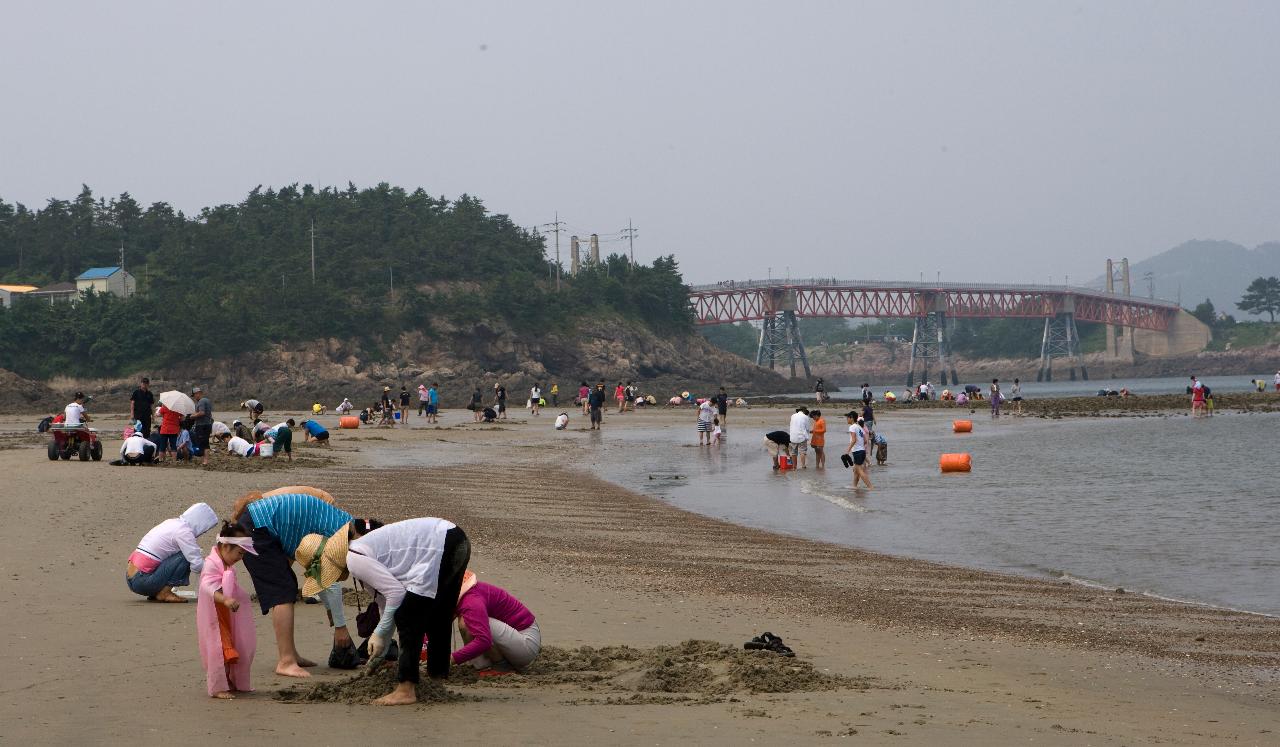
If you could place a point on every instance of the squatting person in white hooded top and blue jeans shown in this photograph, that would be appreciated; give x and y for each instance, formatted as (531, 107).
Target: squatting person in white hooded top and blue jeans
(167, 556)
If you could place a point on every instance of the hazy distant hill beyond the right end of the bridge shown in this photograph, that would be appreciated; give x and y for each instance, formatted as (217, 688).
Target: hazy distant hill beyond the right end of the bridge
(1205, 269)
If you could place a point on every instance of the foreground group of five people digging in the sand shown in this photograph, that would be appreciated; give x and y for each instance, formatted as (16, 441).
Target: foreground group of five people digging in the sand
(418, 571)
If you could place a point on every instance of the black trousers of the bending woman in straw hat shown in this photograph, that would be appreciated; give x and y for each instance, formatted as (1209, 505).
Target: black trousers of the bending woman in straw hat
(419, 616)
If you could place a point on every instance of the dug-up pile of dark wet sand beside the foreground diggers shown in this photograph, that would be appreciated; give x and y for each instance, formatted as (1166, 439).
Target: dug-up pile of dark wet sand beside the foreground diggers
(691, 672)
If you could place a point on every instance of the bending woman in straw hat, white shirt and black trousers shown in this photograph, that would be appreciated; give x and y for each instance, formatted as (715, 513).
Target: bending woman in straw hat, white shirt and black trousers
(415, 569)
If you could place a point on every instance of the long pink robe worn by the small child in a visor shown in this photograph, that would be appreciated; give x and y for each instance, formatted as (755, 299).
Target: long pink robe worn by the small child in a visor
(216, 576)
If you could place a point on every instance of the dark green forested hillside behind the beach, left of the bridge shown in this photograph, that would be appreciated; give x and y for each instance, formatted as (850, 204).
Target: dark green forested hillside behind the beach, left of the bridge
(236, 278)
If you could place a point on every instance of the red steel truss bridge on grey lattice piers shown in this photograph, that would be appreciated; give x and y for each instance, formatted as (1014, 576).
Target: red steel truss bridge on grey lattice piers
(778, 304)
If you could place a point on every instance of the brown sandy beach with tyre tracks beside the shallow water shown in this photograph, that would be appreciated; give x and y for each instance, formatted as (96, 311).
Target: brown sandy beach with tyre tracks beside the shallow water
(889, 650)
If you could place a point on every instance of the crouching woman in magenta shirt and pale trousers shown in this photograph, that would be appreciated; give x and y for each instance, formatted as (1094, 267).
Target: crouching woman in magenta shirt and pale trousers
(496, 629)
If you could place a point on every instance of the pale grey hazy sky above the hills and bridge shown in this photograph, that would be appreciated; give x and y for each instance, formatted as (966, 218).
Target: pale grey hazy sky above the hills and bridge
(989, 141)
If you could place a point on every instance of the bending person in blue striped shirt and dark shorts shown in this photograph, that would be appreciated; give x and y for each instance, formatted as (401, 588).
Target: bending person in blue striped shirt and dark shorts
(277, 524)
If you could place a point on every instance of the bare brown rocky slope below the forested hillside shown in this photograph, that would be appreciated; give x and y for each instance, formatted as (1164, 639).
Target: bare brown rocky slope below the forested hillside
(459, 359)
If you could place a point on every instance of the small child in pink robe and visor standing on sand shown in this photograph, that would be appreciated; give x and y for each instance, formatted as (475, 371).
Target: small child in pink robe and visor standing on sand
(225, 625)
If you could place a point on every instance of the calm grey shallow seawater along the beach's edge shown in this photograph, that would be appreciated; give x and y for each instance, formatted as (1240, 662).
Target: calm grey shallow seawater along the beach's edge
(1168, 506)
